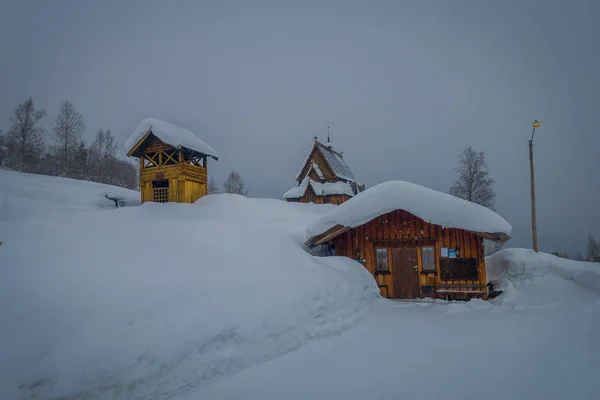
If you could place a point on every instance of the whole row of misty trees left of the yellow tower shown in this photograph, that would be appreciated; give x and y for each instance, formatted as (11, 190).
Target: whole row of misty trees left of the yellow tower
(22, 148)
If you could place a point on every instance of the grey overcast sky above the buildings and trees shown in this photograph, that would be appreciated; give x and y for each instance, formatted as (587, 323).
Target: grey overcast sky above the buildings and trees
(408, 85)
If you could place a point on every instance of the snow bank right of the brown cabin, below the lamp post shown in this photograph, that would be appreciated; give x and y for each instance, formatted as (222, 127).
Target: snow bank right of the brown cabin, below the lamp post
(523, 265)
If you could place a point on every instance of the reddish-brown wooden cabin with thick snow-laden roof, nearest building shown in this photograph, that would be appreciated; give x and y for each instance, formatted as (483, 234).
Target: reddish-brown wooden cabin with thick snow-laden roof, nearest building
(421, 253)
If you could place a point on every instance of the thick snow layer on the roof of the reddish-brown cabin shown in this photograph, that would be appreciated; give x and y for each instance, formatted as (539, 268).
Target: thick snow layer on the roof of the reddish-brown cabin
(430, 205)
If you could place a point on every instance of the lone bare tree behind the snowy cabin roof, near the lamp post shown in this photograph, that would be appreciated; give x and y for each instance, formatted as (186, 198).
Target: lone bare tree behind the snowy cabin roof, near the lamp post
(474, 183)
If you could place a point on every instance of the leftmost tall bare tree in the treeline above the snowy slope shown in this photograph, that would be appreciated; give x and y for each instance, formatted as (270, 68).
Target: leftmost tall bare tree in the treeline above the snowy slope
(24, 140)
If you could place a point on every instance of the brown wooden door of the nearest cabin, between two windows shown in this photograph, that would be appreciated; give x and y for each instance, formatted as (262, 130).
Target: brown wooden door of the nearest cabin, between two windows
(405, 273)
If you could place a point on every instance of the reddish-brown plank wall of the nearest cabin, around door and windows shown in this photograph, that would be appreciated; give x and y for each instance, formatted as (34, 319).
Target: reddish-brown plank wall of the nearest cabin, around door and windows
(400, 228)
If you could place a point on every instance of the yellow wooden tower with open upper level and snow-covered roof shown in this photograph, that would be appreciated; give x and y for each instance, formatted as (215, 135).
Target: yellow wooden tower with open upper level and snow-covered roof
(173, 162)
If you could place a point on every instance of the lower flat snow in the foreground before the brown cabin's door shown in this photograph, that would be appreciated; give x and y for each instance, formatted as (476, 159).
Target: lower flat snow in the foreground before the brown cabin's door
(545, 347)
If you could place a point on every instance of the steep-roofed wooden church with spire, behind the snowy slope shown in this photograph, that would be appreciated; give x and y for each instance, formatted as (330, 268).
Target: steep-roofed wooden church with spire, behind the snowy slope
(324, 178)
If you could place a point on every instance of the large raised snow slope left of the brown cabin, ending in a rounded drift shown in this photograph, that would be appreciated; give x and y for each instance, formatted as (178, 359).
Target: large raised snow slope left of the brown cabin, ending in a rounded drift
(149, 301)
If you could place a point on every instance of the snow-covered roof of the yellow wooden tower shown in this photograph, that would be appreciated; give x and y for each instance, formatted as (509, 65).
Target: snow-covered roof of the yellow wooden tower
(171, 135)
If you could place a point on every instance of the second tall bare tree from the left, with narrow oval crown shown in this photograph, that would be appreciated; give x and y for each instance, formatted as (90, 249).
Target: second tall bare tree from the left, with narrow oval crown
(67, 131)
